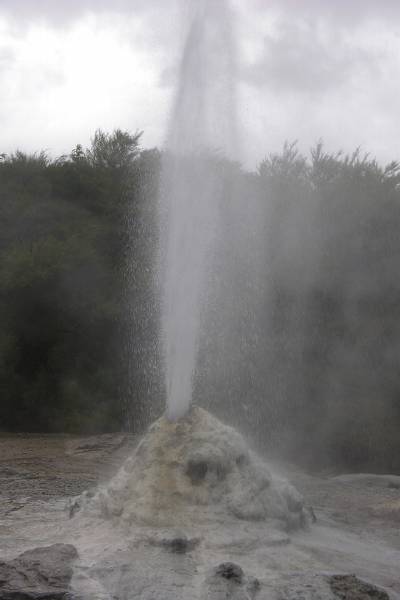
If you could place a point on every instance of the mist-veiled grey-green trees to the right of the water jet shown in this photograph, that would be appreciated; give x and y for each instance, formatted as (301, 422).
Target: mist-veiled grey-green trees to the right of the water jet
(303, 332)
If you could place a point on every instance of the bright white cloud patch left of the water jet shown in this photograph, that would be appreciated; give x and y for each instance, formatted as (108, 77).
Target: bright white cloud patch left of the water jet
(62, 84)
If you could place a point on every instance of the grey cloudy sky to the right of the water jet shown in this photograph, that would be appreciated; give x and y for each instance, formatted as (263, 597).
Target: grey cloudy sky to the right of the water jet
(315, 69)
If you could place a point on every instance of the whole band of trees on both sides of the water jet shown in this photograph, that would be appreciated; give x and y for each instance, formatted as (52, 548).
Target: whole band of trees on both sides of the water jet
(302, 326)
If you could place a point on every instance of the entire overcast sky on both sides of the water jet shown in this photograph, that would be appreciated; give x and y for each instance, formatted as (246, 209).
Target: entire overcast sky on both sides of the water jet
(308, 69)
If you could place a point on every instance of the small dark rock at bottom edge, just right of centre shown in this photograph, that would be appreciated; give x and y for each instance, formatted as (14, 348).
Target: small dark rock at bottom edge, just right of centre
(228, 580)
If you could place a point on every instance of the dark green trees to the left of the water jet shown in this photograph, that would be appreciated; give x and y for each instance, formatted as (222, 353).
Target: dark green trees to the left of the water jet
(63, 282)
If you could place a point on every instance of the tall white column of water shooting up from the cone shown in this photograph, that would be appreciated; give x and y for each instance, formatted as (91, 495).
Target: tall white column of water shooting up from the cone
(203, 121)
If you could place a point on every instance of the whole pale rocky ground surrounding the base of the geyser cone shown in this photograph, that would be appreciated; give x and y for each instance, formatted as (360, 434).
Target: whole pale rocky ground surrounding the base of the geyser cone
(355, 540)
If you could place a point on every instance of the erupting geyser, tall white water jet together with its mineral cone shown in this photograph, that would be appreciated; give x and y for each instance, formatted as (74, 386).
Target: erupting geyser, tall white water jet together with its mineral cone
(190, 469)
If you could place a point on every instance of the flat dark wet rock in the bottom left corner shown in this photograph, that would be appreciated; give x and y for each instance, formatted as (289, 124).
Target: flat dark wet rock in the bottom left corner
(38, 574)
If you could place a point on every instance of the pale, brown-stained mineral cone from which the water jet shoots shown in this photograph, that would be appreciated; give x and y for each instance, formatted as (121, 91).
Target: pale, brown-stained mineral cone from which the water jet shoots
(192, 471)
